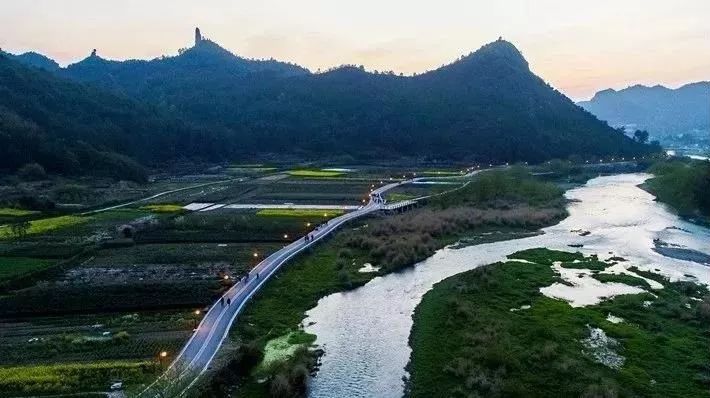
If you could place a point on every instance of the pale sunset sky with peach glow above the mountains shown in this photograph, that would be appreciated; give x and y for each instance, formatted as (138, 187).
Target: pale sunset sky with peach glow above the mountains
(579, 47)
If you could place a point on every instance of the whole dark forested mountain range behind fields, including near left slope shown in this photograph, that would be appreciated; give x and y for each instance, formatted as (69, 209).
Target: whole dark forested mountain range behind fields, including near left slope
(487, 106)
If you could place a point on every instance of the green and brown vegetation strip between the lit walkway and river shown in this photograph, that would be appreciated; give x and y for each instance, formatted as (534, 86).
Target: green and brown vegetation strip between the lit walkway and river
(510, 201)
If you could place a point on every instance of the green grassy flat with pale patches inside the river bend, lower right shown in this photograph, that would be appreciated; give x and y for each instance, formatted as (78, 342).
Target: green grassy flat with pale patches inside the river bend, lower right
(490, 332)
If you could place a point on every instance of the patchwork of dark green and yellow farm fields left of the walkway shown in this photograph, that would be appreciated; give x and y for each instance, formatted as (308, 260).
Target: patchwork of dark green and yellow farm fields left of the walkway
(100, 295)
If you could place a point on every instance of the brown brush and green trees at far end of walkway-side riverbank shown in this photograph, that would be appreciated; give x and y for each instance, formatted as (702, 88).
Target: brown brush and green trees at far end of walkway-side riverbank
(508, 200)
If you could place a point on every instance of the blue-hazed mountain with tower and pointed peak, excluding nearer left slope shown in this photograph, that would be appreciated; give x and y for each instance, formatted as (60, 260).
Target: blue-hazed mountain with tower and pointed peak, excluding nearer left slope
(487, 106)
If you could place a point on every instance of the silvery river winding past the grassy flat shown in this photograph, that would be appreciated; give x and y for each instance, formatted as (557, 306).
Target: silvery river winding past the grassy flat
(365, 332)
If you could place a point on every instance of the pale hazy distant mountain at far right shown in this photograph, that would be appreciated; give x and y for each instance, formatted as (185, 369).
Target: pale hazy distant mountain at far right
(660, 110)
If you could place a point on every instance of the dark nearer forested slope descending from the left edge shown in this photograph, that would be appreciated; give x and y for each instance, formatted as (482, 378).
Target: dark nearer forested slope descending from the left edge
(72, 128)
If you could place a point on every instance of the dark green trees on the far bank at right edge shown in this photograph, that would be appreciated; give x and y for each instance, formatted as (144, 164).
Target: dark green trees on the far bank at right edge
(683, 185)
